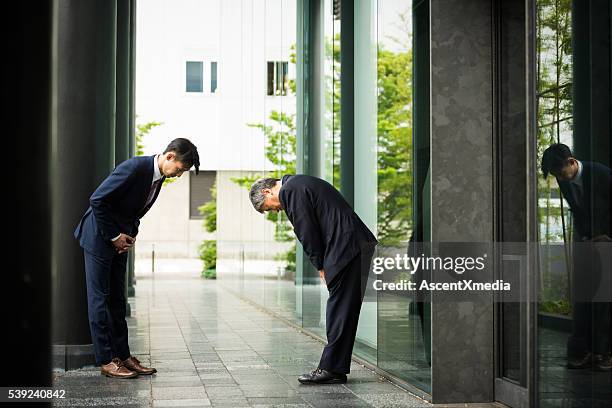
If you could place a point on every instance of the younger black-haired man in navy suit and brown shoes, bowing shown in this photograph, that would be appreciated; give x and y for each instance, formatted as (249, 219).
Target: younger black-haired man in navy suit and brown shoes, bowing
(106, 232)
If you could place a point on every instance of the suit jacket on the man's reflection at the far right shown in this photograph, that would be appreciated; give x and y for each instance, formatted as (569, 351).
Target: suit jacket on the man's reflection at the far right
(592, 211)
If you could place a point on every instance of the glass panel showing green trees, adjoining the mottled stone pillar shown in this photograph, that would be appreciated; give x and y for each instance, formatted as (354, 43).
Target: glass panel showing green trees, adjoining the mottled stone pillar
(402, 320)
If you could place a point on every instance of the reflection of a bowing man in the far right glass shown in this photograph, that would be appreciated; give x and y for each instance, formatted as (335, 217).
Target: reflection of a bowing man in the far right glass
(586, 186)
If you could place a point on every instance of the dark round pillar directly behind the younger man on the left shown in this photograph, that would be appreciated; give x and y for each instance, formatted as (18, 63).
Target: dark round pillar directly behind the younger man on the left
(85, 155)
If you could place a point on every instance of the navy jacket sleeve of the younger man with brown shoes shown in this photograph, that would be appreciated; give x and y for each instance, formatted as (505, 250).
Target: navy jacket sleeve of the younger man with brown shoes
(107, 193)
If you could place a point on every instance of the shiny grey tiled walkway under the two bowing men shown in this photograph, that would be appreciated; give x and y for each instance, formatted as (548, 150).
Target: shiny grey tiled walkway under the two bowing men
(212, 349)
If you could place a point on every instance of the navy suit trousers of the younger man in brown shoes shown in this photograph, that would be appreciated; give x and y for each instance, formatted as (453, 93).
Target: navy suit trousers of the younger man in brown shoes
(105, 279)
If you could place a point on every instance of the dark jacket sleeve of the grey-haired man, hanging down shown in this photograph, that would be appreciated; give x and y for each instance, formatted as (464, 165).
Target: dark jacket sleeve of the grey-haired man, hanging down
(306, 227)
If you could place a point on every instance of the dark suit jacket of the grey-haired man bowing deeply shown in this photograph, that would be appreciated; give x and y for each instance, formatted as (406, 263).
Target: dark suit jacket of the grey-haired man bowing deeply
(330, 232)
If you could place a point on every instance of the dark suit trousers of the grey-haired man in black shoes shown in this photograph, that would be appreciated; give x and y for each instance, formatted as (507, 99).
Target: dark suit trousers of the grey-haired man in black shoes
(346, 292)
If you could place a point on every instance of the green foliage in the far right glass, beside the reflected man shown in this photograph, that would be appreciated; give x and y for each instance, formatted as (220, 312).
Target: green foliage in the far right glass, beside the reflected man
(554, 121)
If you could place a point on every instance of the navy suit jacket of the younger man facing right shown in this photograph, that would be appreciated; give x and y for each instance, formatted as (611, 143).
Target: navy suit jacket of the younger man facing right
(117, 206)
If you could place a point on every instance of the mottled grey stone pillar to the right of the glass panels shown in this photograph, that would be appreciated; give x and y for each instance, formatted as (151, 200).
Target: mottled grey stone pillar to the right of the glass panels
(461, 194)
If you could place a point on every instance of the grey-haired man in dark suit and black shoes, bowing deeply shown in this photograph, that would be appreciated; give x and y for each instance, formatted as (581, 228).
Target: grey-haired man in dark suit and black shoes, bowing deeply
(340, 247)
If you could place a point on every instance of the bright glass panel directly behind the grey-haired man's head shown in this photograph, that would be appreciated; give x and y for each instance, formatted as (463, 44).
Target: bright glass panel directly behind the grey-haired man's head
(280, 279)
